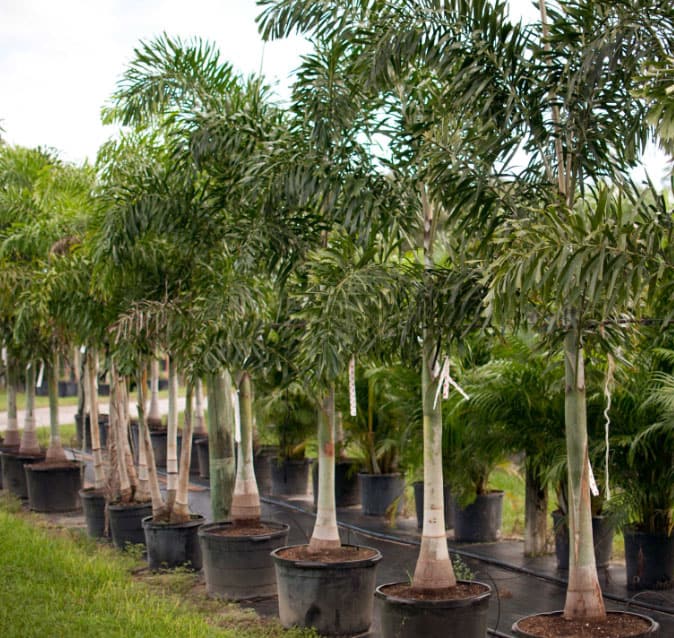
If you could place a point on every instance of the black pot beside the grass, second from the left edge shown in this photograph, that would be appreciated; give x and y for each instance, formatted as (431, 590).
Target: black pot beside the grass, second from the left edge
(54, 487)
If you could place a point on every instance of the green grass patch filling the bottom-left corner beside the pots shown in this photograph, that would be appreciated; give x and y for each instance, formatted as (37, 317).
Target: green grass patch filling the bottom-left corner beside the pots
(60, 583)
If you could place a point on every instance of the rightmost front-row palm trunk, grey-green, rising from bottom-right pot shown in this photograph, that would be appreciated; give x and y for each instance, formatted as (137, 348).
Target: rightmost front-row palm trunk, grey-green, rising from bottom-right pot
(583, 595)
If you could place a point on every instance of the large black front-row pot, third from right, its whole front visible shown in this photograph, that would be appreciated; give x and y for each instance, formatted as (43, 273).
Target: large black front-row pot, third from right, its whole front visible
(334, 598)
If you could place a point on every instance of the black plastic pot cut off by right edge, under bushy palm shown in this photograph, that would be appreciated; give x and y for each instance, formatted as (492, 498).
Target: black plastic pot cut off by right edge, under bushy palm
(649, 559)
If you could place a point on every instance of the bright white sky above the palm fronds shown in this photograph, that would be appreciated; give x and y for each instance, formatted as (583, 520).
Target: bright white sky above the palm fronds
(61, 59)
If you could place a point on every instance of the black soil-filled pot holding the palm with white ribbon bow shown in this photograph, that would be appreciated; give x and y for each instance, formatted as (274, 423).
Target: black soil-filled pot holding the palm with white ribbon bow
(459, 612)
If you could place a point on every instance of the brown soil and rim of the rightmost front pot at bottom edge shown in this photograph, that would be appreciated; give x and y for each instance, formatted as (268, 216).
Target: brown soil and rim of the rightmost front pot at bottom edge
(618, 624)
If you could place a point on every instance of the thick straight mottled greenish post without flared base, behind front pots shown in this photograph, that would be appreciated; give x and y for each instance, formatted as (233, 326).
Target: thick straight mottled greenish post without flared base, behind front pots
(220, 444)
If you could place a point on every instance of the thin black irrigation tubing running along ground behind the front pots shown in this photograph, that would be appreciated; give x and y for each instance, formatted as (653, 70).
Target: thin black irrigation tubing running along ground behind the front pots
(628, 602)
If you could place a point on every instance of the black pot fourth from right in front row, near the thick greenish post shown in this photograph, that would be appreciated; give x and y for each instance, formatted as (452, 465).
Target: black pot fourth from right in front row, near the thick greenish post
(240, 567)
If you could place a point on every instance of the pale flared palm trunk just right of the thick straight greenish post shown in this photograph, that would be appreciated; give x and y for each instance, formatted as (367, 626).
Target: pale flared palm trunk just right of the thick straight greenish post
(246, 498)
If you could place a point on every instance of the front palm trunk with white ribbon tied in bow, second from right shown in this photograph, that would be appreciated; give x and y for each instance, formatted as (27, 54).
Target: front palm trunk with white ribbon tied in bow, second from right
(434, 568)
